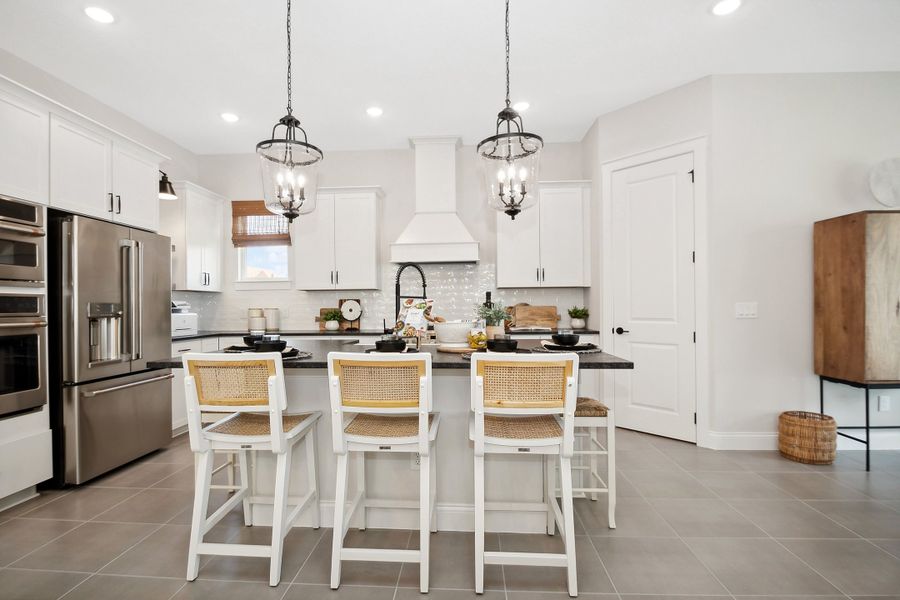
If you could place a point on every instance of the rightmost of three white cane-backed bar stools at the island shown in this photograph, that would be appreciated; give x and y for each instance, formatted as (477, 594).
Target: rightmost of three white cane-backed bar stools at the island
(526, 403)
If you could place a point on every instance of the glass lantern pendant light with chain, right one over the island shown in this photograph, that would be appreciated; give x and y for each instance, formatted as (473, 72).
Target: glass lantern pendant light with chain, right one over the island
(510, 158)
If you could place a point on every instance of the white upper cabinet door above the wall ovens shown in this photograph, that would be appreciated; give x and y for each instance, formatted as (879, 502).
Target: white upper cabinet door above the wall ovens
(25, 149)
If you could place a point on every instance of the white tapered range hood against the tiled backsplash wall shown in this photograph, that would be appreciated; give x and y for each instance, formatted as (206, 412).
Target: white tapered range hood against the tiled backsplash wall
(435, 234)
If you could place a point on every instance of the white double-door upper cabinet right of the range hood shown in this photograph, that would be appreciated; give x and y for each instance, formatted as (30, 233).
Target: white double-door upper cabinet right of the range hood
(547, 245)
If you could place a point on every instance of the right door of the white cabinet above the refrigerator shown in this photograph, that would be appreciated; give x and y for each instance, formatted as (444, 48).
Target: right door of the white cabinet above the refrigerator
(136, 186)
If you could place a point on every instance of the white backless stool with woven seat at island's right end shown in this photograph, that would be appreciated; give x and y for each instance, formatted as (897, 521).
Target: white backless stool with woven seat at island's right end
(590, 417)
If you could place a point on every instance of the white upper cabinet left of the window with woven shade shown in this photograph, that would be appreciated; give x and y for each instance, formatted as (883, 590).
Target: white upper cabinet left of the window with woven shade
(195, 223)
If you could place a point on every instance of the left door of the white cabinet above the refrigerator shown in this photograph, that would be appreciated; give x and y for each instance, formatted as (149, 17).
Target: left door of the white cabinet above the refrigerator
(80, 169)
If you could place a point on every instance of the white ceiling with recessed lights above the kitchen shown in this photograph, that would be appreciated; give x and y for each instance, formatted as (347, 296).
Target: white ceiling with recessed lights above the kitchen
(435, 67)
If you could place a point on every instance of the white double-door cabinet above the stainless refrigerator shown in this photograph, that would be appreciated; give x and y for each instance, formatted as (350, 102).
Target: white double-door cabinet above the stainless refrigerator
(92, 174)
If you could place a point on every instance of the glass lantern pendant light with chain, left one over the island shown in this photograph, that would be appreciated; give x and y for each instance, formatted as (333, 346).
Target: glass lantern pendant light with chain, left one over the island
(288, 163)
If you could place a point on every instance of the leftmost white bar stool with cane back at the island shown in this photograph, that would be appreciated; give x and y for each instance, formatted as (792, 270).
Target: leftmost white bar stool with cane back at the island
(253, 391)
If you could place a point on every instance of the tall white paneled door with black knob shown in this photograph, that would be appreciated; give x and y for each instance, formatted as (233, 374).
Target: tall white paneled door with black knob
(653, 317)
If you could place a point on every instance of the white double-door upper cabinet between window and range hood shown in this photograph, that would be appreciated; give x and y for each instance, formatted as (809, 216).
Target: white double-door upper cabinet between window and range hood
(337, 245)
